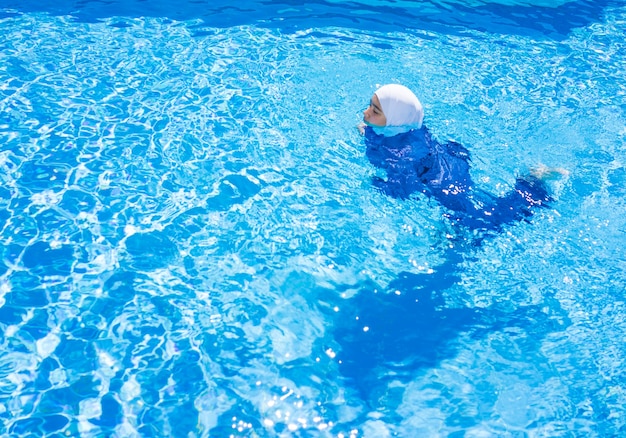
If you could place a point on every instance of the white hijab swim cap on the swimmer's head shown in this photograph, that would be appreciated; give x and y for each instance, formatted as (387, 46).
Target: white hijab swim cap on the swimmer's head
(401, 107)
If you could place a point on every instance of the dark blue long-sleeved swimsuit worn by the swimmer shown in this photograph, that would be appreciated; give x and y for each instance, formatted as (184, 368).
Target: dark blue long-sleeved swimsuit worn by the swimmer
(417, 163)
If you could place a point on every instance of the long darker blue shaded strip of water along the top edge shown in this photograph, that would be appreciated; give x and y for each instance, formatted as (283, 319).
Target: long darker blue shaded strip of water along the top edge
(522, 18)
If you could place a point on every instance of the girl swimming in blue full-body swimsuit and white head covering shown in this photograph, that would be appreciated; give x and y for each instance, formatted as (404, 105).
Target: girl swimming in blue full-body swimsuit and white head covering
(397, 141)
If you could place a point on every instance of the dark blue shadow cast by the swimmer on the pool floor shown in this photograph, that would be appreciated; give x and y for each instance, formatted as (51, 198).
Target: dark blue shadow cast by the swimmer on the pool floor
(391, 335)
